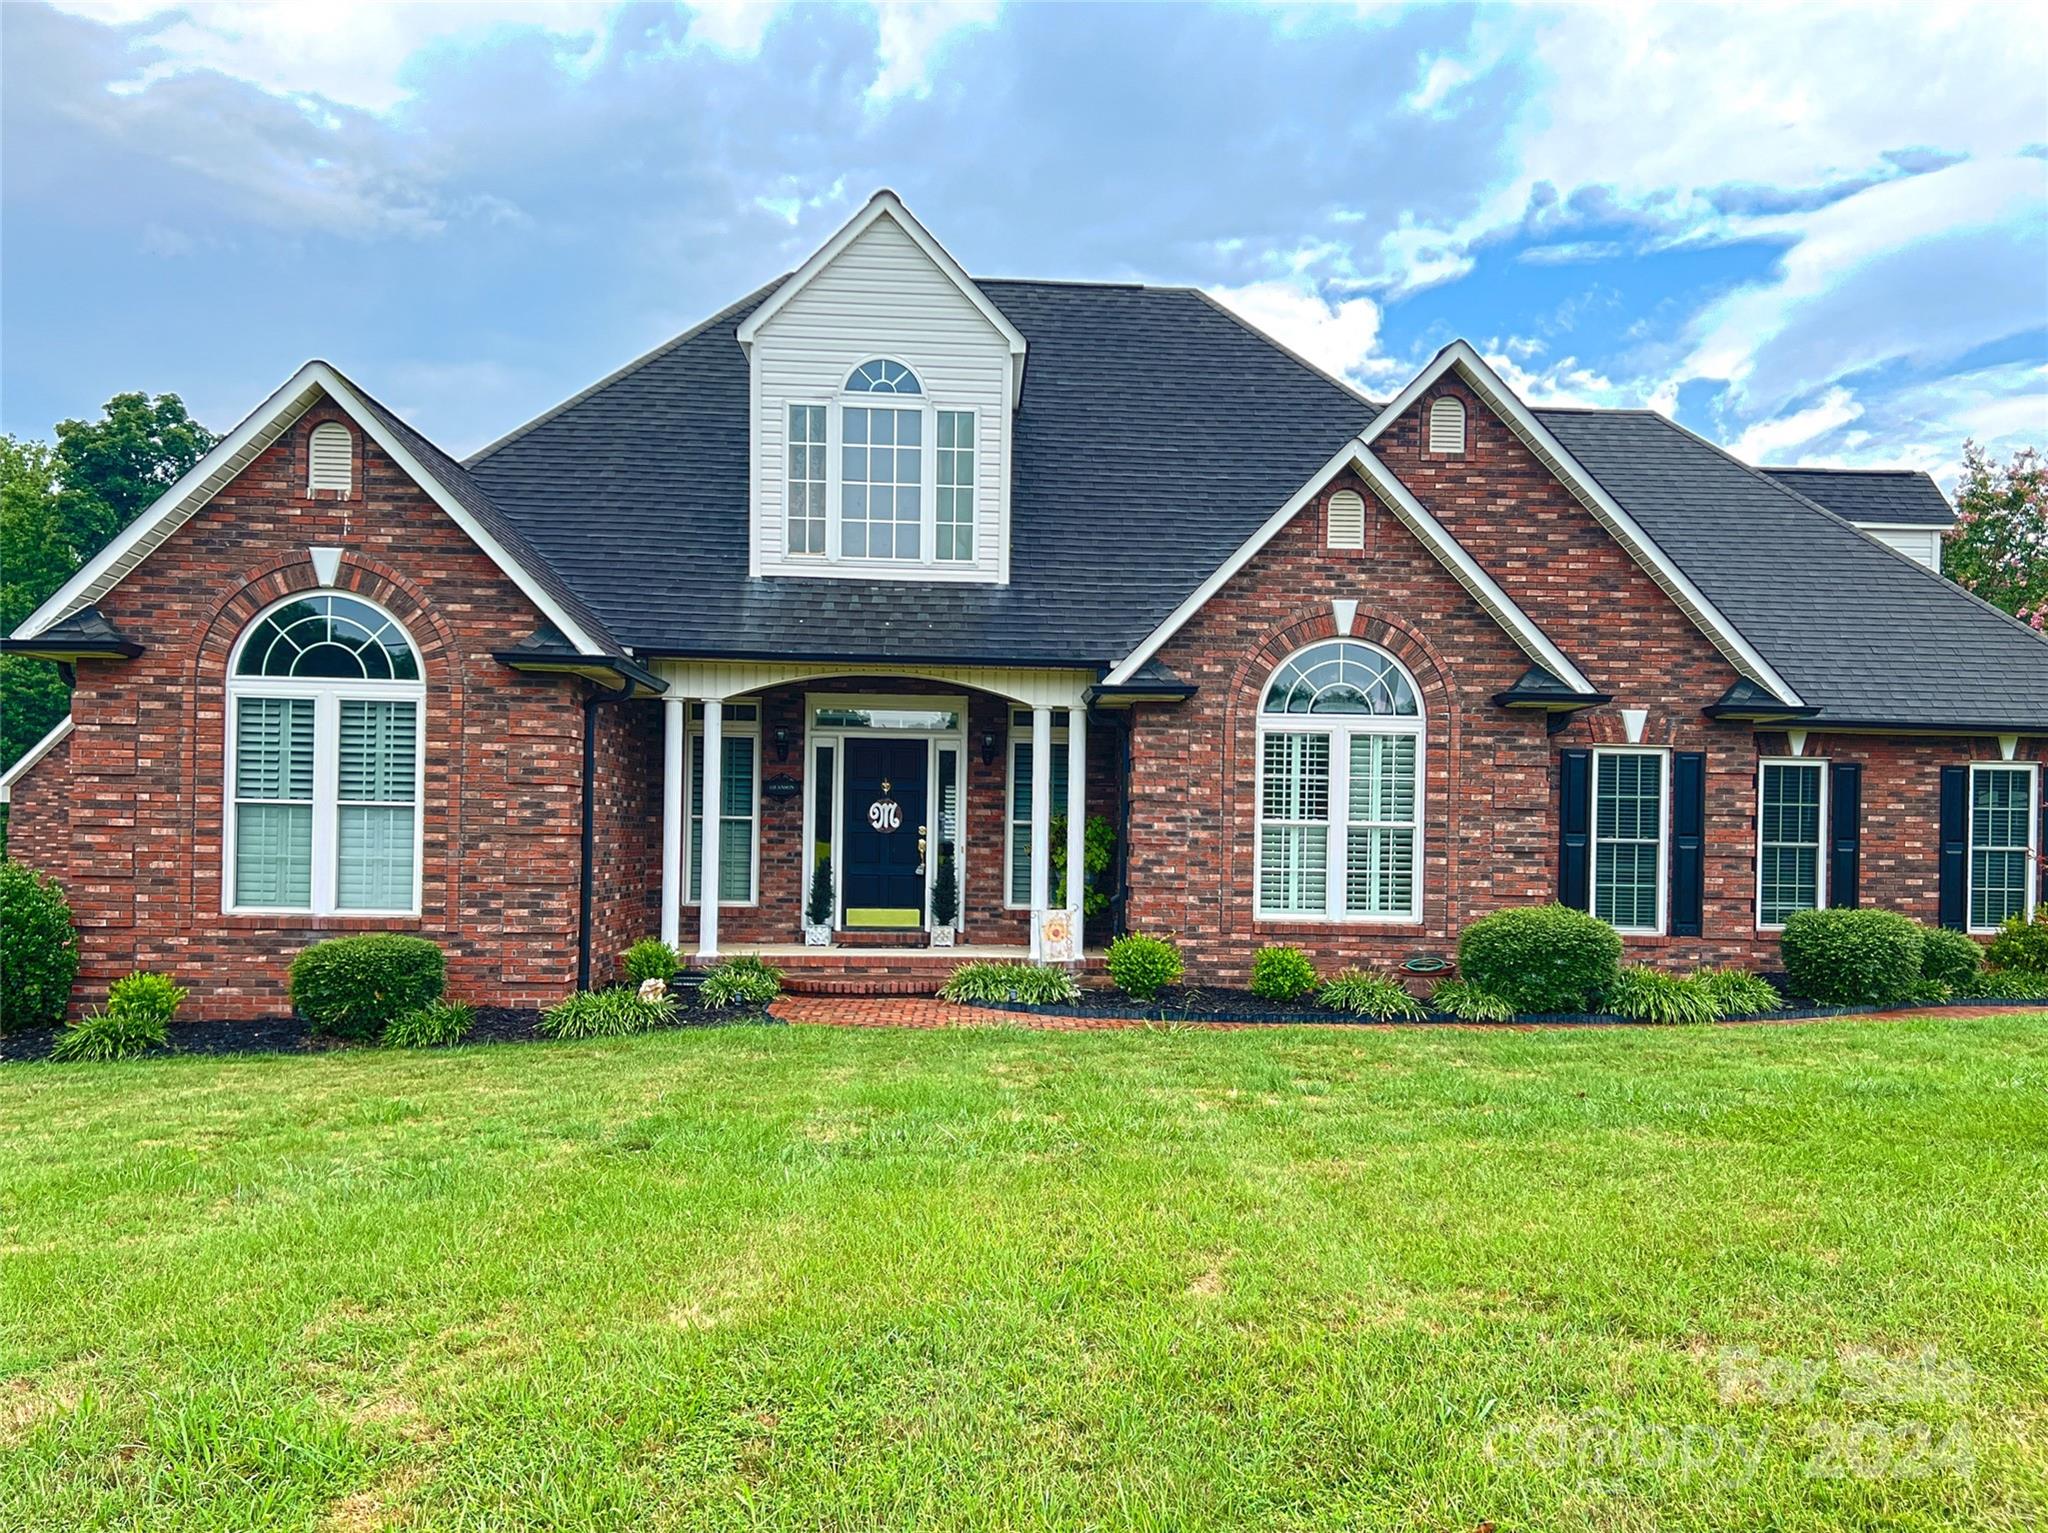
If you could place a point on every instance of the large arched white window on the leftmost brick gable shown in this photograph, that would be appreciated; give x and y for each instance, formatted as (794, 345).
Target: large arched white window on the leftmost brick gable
(327, 728)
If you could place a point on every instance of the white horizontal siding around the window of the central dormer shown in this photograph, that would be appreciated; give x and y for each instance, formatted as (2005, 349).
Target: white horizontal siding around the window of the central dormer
(882, 298)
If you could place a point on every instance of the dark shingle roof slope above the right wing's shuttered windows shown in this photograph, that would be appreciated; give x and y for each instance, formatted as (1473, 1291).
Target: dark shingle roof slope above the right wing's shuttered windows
(1859, 629)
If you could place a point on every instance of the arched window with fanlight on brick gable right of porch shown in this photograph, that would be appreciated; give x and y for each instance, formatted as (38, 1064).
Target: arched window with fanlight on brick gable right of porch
(1340, 787)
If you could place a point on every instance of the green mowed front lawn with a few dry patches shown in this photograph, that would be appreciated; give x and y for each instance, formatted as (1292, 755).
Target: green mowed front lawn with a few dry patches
(1715, 1278)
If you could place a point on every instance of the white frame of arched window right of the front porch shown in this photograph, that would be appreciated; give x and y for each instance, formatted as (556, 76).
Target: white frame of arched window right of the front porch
(1340, 730)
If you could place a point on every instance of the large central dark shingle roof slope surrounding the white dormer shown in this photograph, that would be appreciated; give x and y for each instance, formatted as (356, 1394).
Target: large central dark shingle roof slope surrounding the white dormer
(1156, 435)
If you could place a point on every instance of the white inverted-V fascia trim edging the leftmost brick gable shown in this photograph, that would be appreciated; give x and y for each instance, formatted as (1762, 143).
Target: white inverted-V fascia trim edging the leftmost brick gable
(230, 457)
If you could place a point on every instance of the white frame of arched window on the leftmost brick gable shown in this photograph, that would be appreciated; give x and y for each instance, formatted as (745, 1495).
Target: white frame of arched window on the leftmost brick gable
(327, 699)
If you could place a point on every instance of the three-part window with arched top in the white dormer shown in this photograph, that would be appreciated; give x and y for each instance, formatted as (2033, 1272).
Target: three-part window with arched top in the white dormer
(884, 474)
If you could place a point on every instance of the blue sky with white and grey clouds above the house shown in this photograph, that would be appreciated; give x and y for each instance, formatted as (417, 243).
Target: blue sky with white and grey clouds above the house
(1811, 234)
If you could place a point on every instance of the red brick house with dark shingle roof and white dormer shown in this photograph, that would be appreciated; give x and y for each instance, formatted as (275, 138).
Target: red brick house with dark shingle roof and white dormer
(931, 572)
